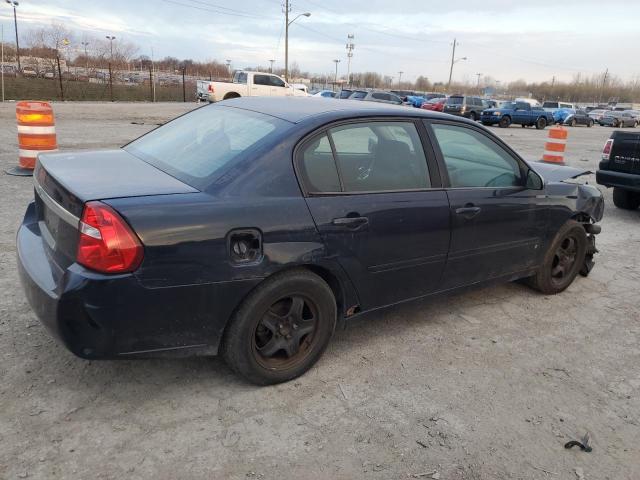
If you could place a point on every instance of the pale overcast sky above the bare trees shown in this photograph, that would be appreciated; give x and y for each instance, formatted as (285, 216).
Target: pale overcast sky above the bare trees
(508, 40)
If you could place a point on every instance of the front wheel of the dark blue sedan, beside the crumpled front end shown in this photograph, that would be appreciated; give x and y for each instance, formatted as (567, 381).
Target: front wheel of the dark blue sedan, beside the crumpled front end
(562, 261)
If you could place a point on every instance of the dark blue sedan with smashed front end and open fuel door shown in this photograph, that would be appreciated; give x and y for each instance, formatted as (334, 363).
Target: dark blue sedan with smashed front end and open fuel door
(251, 227)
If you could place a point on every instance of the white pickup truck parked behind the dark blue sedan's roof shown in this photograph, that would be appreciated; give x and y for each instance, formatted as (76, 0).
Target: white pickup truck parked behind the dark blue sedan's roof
(246, 84)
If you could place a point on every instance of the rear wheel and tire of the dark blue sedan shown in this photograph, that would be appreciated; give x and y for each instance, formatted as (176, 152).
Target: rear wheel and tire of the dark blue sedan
(271, 319)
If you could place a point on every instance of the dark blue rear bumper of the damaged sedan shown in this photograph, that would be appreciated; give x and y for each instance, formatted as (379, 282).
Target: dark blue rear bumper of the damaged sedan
(114, 316)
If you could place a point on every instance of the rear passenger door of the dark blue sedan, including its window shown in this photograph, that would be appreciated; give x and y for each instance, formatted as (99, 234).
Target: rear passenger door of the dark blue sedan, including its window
(379, 206)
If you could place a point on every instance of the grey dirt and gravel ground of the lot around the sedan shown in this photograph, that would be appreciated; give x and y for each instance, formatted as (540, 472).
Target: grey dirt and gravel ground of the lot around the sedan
(488, 384)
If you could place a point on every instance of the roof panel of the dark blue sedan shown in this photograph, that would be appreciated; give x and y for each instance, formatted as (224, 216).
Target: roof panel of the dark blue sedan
(298, 109)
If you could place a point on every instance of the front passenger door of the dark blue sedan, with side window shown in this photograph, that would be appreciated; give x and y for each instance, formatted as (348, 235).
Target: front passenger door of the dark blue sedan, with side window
(497, 222)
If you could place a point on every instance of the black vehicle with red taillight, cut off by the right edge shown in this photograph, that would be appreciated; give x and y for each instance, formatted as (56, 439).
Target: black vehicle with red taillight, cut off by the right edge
(620, 168)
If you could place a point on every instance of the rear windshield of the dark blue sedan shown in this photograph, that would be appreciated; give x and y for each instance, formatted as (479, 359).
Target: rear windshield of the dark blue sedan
(198, 147)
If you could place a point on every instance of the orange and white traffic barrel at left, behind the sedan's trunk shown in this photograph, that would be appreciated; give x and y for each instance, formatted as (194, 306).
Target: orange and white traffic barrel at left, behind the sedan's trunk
(36, 133)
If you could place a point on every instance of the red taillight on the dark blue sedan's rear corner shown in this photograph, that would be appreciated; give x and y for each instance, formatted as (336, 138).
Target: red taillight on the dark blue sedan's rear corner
(107, 244)
